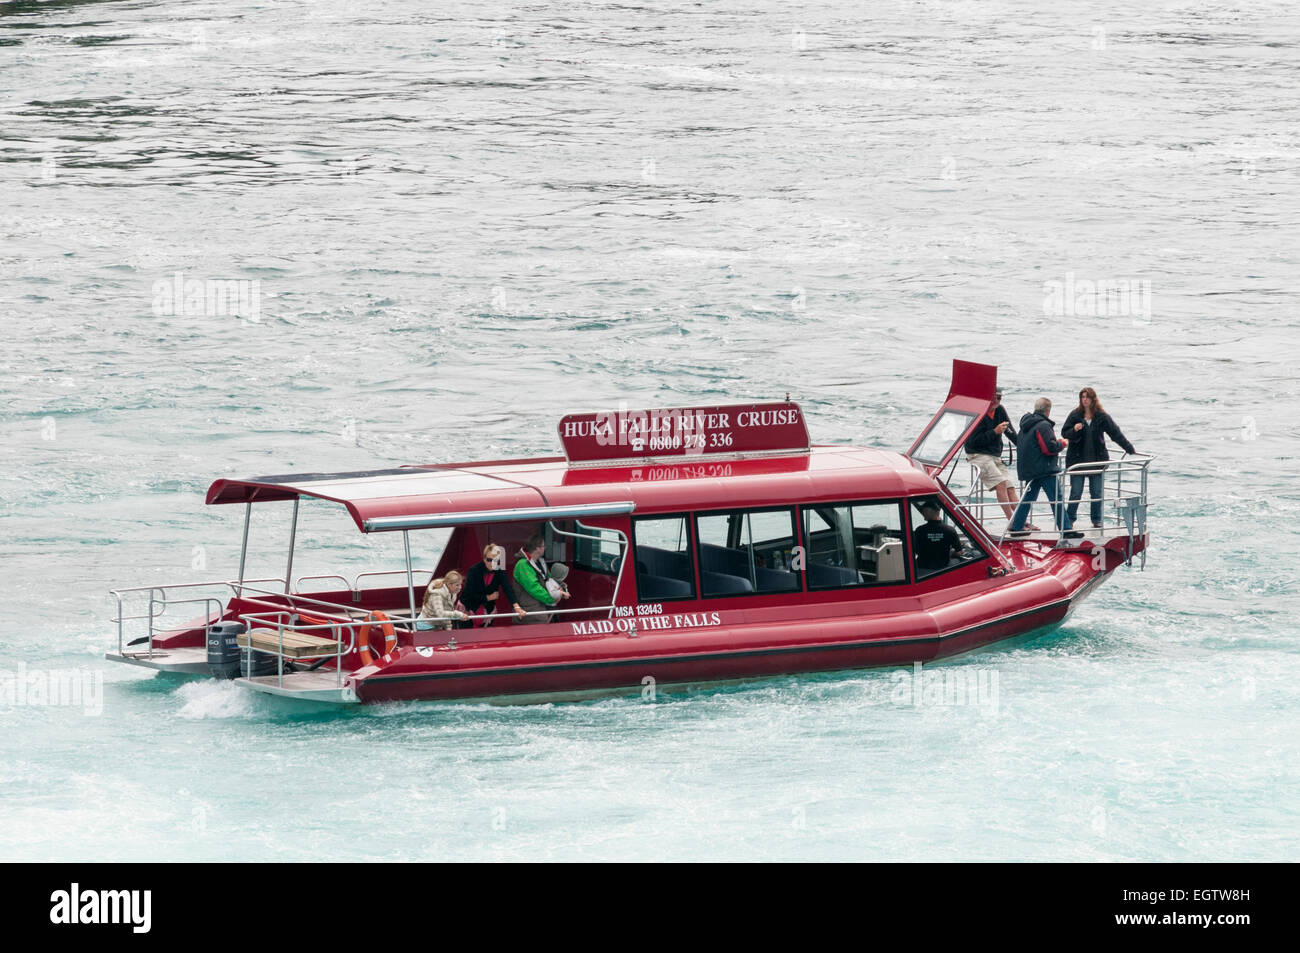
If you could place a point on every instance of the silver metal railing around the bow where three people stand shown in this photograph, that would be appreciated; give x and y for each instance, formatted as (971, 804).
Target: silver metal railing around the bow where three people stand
(1124, 503)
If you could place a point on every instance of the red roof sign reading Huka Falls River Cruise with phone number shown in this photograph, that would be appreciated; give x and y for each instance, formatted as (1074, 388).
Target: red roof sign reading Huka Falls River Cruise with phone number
(684, 432)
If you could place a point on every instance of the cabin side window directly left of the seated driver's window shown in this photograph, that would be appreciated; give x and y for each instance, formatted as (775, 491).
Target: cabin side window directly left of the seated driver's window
(855, 545)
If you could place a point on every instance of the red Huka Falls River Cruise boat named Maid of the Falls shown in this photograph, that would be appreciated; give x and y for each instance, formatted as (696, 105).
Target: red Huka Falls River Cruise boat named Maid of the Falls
(704, 545)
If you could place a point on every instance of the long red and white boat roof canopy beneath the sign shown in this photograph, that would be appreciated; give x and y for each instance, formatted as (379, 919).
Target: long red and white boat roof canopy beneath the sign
(453, 495)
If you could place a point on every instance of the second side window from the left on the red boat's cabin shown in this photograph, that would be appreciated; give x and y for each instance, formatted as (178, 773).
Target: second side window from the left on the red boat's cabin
(747, 552)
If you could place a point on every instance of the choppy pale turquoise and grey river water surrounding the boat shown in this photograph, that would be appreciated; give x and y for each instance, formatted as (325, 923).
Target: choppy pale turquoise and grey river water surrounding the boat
(466, 220)
